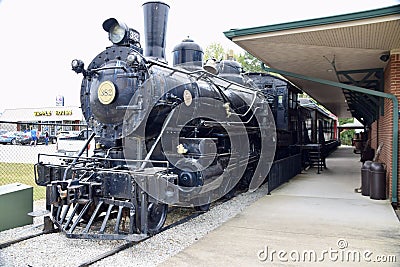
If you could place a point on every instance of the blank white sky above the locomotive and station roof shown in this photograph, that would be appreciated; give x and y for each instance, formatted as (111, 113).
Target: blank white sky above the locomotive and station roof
(40, 38)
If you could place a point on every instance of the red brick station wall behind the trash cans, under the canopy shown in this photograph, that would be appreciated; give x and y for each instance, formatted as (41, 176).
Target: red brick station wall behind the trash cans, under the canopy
(382, 129)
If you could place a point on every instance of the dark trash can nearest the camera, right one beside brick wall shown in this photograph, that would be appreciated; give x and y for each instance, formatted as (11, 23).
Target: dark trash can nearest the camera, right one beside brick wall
(377, 181)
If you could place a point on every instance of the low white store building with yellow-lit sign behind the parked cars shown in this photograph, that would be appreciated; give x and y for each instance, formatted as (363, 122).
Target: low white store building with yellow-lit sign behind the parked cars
(58, 118)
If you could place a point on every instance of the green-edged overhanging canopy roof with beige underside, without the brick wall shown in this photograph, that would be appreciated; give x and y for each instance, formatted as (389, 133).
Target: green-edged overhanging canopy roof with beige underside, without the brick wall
(344, 48)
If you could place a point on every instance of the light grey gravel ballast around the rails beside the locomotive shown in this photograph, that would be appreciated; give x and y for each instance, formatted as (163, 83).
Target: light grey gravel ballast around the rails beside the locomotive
(58, 250)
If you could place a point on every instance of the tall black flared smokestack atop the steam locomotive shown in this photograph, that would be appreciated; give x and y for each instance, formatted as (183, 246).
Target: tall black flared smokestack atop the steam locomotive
(155, 29)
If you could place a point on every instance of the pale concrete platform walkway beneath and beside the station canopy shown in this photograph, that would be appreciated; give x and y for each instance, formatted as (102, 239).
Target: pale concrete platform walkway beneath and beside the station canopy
(315, 219)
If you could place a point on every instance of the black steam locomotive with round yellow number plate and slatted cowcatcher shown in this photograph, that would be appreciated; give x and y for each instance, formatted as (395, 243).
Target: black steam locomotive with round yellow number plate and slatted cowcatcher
(184, 135)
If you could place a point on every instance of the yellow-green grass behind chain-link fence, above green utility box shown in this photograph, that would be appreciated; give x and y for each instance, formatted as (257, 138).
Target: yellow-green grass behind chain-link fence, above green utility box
(21, 173)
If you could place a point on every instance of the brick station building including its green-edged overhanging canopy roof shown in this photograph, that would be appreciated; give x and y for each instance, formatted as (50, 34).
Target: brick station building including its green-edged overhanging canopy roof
(349, 63)
